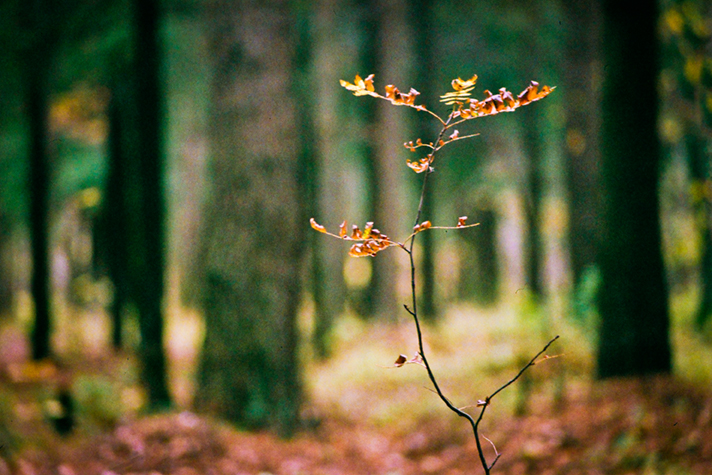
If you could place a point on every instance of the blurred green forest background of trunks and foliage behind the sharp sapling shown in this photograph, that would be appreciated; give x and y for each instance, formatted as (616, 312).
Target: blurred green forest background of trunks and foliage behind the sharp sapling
(160, 161)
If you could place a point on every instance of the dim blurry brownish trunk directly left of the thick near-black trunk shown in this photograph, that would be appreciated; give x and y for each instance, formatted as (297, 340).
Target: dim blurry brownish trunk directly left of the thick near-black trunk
(582, 154)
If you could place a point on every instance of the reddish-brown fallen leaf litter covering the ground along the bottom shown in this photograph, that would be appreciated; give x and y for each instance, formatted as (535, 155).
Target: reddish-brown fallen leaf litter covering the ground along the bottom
(650, 426)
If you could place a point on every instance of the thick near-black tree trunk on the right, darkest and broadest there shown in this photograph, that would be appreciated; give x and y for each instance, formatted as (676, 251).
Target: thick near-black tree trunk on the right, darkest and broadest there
(633, 302)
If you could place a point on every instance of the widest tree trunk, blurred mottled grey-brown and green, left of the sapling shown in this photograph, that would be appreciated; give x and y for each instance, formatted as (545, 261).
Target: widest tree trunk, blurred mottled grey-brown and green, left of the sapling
(253, 235)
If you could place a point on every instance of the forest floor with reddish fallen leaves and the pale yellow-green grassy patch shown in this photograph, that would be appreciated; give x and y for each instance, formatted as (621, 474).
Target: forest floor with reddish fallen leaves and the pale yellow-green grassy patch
(366, 417)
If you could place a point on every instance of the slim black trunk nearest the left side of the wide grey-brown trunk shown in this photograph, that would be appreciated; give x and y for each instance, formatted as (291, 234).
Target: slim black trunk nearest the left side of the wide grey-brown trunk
(149, 276)
